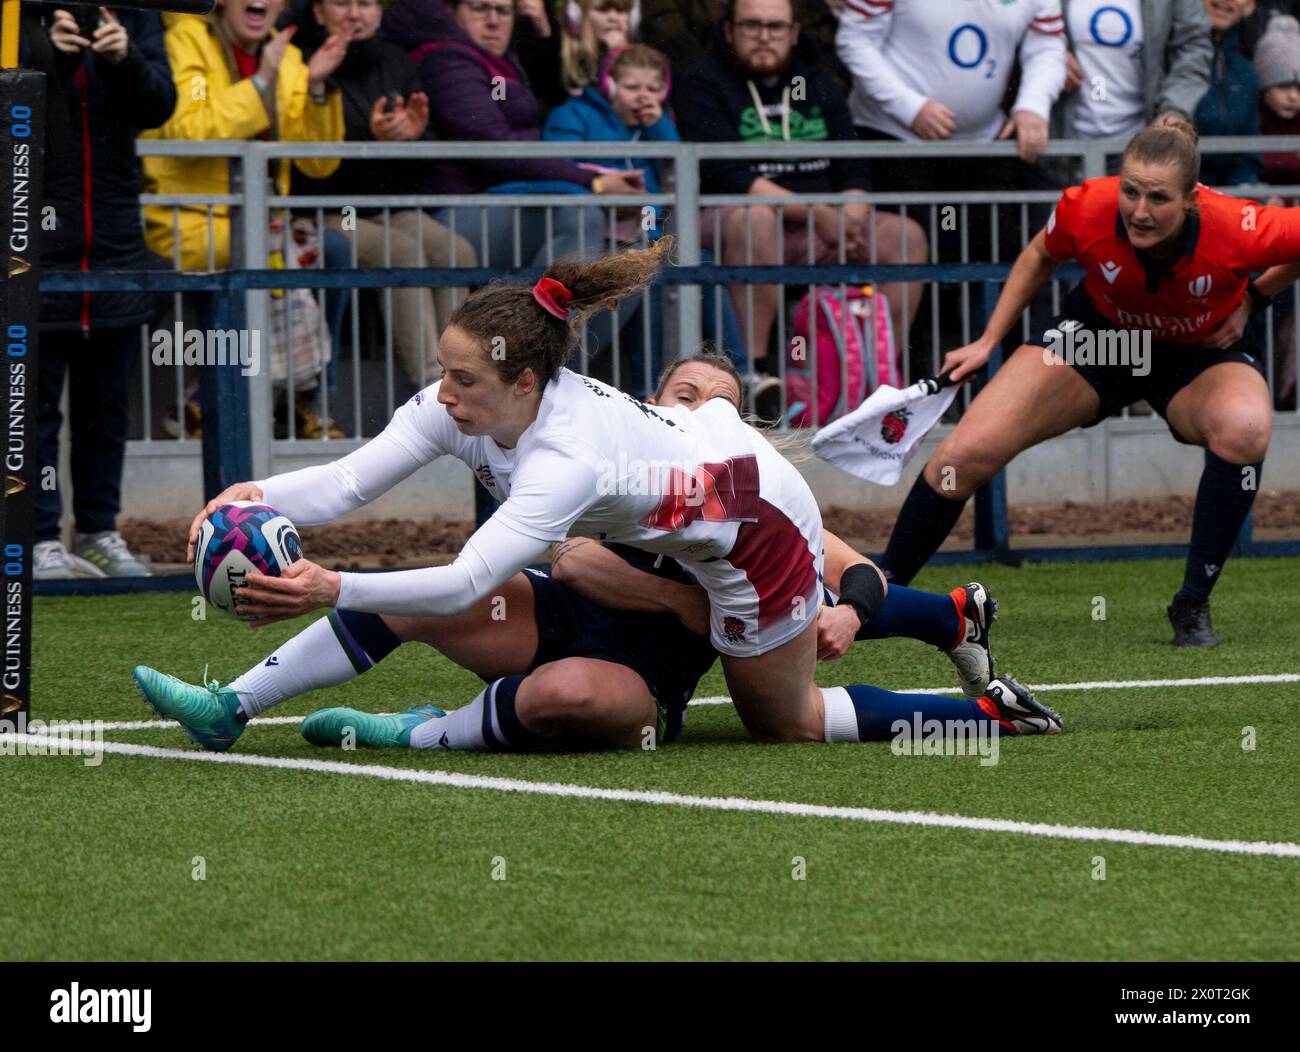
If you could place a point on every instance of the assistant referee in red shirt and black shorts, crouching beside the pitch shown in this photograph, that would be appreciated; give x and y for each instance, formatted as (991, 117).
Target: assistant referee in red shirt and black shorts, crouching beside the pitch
(1169, 262)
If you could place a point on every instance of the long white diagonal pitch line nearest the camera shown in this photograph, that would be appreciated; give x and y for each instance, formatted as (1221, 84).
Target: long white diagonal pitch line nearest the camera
(704, 803)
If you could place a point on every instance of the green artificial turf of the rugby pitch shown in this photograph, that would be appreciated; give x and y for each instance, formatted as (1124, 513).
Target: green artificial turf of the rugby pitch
(310, 865)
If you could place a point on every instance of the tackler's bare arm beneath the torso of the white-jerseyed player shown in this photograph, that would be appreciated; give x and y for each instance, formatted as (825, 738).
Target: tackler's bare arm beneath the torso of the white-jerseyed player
(603, 577)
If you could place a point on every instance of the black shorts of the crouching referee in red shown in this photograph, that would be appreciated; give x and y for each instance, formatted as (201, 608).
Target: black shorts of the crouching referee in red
(1173, 366)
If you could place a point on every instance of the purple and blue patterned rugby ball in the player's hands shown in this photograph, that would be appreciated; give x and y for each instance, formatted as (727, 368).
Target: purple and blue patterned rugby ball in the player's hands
(239, 538)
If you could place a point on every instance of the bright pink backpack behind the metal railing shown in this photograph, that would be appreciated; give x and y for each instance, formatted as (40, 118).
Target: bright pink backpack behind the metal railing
(859, 343)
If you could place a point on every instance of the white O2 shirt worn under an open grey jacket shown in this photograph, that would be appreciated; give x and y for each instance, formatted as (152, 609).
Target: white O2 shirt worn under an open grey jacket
(1107, 37)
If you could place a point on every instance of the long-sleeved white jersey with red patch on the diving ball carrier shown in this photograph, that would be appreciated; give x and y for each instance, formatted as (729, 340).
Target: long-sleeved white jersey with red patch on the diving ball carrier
(595, 464)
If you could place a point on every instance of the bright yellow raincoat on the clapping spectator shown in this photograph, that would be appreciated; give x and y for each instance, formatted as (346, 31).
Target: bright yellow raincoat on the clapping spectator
(214, 106)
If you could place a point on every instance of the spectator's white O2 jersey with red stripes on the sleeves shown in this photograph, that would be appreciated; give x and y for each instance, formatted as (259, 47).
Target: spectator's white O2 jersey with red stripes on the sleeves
(957, 53)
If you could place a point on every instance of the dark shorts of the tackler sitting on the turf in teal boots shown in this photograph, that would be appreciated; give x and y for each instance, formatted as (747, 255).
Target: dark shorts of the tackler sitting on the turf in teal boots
(657, 647)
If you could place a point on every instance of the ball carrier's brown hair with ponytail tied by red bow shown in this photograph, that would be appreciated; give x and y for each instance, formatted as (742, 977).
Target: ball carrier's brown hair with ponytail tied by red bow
(535, 327)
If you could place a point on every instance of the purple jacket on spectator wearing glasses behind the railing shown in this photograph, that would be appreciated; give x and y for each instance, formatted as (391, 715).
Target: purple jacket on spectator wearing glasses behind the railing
(458, 77)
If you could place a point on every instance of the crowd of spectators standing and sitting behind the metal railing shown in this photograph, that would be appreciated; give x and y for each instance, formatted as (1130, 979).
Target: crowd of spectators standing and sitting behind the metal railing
(590, 71)
